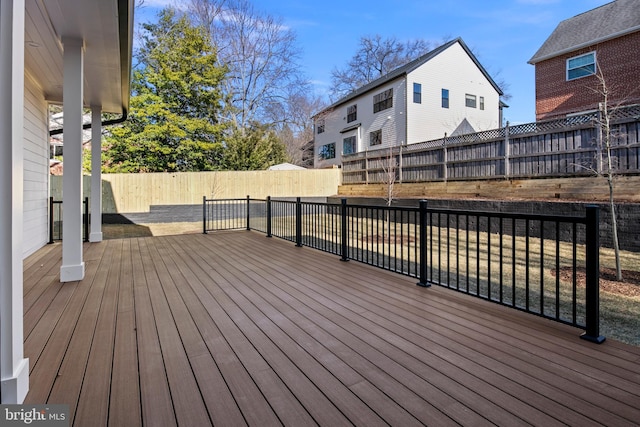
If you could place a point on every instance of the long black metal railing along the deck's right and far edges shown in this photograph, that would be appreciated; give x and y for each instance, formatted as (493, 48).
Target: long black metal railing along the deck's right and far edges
(530, 262)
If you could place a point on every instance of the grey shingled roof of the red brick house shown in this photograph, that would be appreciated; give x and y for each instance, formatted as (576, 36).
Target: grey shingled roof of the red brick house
(606, 22)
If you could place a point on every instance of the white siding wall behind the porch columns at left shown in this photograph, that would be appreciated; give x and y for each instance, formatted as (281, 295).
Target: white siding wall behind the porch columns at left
(36, 168)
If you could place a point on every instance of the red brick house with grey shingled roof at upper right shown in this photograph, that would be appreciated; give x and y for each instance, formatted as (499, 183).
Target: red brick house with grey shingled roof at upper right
(603, 40)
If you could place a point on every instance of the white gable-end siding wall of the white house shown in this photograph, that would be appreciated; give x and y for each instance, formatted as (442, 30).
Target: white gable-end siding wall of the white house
(452, 69)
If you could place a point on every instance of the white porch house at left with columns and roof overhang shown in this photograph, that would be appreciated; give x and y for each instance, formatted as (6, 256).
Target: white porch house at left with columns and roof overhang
(77, 54)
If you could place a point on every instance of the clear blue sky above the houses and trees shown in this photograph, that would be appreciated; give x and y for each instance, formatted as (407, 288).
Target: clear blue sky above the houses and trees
(504, 34)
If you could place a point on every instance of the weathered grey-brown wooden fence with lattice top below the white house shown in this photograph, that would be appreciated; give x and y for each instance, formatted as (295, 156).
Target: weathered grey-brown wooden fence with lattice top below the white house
(556, 148)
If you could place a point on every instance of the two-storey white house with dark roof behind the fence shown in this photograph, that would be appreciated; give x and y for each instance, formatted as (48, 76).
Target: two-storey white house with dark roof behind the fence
(446, 91)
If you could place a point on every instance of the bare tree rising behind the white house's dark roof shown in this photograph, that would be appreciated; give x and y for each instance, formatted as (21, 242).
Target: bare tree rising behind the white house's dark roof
(376, 56)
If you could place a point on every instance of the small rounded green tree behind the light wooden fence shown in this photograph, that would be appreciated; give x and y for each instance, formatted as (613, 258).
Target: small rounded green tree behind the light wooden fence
(254, 148)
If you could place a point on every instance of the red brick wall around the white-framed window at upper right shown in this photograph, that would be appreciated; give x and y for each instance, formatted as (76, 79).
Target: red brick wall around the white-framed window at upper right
(619, 60)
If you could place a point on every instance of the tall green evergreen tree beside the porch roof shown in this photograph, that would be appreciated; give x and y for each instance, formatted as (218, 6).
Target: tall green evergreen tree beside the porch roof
(176, 101)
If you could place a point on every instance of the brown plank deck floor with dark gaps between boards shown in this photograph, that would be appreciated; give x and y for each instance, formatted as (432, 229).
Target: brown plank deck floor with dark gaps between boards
(235, 328)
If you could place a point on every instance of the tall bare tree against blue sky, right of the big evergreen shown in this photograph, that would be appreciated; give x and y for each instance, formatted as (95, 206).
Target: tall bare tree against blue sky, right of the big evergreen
(260, 54)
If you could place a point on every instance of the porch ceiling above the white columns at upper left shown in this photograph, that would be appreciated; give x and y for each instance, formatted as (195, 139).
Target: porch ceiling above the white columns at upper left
(106, 26)
